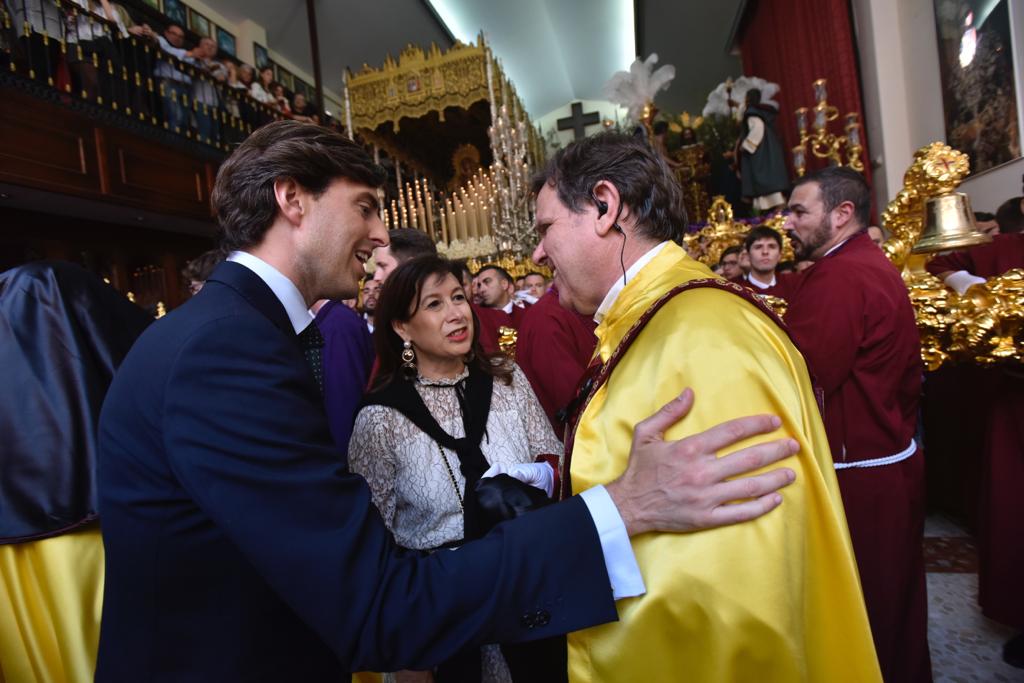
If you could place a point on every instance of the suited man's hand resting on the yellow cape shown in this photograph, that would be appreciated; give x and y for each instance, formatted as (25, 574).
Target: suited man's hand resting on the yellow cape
(685, 487)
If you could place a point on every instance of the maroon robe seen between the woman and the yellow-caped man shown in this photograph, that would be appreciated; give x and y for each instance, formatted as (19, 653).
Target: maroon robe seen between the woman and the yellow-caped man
(554, 349)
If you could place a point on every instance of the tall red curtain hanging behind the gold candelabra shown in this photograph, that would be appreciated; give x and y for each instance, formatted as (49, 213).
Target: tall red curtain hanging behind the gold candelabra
(796, 42)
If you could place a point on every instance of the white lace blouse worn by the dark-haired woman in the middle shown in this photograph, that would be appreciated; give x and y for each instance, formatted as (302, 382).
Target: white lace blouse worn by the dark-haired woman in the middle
(411, 486)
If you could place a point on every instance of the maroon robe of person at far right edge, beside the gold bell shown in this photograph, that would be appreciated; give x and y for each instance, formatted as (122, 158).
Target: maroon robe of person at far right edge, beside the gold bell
(1001, 519)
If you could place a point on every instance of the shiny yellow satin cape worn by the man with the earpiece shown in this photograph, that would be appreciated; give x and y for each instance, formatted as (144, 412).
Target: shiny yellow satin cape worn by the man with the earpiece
(777, 600)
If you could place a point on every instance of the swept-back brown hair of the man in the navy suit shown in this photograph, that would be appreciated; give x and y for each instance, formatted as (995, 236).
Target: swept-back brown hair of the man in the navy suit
(313, 156)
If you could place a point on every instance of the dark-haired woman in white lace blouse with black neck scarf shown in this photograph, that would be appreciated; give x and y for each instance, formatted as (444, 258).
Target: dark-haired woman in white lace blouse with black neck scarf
(443, 415)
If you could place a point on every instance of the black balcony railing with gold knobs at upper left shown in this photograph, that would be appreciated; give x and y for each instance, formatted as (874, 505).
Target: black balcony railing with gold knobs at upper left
(62, 49)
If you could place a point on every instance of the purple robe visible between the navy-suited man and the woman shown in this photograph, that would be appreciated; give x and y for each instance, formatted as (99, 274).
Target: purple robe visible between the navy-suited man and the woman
(349, 355)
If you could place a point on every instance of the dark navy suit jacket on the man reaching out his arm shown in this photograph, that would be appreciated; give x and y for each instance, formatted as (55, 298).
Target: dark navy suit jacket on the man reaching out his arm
(239, 548)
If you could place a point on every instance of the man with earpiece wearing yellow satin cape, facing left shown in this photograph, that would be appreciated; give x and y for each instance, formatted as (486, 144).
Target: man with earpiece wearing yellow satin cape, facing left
(778, 600)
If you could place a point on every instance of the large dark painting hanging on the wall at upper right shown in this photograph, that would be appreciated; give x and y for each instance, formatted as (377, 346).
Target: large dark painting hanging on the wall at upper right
(979, 94)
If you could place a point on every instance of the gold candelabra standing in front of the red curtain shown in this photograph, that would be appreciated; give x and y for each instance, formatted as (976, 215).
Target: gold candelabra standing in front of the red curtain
(825, 145)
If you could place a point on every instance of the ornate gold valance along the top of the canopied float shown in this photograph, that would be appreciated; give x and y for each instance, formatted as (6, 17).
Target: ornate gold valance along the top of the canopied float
(424, 81)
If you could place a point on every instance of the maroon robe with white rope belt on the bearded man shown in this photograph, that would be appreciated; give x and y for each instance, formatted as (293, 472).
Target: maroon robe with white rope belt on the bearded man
(851, 318)
